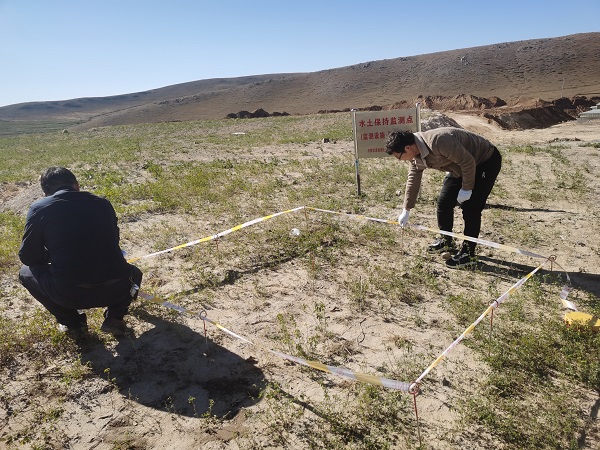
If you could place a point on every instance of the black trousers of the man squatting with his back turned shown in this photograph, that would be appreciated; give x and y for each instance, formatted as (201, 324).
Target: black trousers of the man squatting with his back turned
(62, 298)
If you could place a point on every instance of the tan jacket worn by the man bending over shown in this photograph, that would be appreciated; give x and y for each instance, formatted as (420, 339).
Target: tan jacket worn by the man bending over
(450, 150)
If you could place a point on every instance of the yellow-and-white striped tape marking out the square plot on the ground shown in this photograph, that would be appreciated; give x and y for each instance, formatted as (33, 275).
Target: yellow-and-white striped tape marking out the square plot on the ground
(411, 387)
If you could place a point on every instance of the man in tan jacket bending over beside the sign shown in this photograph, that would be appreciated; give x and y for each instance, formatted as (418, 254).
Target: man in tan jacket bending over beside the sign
(471, 163)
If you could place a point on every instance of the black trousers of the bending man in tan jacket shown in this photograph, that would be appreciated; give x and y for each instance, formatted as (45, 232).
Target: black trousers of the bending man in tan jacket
(485, 177)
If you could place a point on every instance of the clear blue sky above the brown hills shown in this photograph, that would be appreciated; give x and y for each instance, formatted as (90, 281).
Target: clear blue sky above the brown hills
(64, 49)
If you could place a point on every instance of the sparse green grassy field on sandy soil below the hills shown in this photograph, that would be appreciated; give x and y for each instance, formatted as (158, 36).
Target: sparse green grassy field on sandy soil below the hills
(532, 382)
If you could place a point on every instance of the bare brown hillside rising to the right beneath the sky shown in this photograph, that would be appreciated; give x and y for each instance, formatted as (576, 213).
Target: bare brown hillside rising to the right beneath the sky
(502, 79)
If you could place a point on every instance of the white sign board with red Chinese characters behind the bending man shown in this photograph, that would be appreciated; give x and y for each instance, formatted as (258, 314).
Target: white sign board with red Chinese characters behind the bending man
(371, 129)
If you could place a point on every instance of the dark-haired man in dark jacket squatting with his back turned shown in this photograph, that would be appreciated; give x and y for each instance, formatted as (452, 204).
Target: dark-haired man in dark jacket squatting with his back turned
(71, 256)
